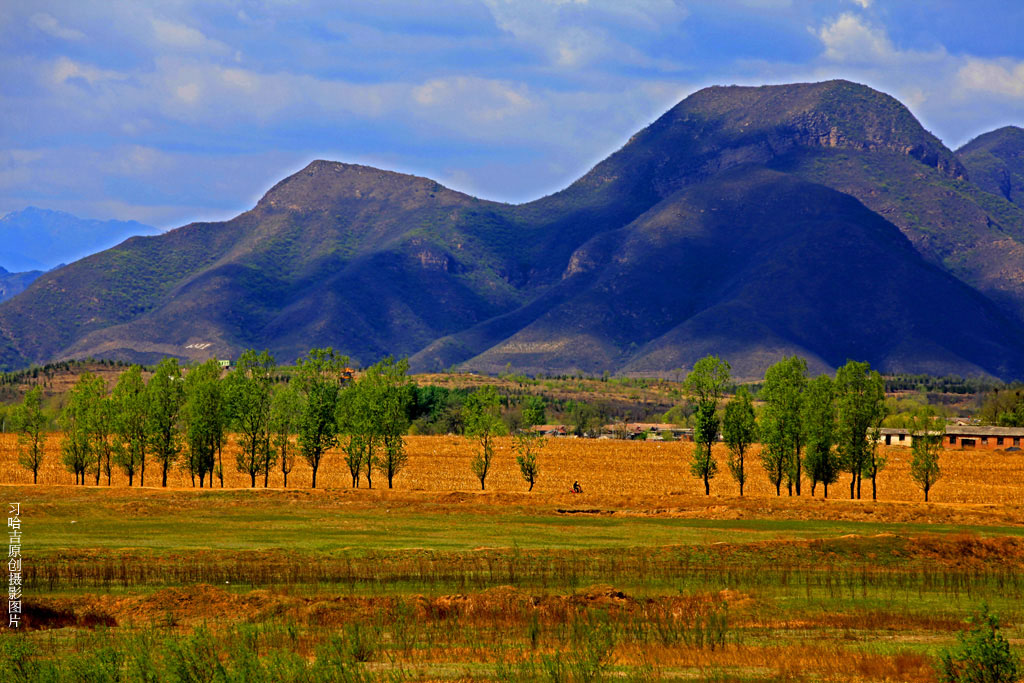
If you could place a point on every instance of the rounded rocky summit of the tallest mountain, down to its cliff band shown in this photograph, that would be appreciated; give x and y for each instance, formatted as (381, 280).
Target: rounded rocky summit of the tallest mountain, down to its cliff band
(721, 127)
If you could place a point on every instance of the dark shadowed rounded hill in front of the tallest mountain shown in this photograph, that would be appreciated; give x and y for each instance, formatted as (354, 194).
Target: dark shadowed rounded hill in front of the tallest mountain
(755, 265)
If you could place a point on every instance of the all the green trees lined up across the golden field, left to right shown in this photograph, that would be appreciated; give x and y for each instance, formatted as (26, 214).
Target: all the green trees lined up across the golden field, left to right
(810, 430)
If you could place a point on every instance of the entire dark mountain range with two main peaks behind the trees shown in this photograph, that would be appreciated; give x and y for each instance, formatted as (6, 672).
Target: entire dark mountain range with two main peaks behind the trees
(752, 223)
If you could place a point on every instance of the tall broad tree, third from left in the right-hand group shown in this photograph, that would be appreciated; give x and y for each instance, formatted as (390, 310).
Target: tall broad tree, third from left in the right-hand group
(782, 436)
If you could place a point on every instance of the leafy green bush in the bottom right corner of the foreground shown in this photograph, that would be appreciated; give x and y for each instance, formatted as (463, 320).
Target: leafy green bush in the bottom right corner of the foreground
(983, 655)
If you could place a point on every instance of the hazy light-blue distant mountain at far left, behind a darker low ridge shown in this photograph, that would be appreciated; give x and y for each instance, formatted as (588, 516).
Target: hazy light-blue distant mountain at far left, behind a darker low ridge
(40, 240)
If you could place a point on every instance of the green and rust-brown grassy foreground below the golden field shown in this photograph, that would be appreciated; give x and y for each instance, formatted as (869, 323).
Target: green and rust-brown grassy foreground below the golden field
(310, 586)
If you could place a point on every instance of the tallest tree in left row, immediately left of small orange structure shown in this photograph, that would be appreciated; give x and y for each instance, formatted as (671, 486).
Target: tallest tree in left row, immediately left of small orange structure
(319, 379)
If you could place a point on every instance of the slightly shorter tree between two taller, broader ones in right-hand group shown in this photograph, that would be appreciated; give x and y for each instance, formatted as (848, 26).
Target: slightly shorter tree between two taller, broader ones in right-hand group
(819, 422)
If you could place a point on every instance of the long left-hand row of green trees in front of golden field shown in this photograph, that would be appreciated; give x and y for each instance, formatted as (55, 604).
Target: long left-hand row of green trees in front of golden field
(184, 420)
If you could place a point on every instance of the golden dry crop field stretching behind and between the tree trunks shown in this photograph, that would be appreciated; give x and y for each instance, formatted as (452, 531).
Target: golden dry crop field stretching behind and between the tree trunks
(605, 467)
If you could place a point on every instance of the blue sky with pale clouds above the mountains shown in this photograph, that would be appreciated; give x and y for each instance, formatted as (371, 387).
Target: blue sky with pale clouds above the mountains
(181, 111)
